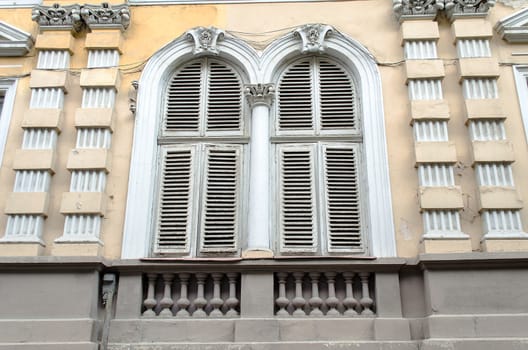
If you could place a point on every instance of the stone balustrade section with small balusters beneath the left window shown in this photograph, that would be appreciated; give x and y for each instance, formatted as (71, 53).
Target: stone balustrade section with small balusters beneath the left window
(191, 294)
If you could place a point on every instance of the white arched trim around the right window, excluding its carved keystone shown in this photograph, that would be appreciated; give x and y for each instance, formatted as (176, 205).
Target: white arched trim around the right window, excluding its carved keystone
(363, 66)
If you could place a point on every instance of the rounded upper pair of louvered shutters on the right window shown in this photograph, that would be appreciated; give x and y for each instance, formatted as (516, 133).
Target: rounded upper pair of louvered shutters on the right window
(316, 96)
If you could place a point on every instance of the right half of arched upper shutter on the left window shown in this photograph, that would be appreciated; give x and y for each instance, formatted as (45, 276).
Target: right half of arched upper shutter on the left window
(224, 99)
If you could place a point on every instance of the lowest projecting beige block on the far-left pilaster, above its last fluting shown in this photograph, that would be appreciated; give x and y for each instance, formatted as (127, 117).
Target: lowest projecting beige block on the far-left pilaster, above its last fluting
(34, 203)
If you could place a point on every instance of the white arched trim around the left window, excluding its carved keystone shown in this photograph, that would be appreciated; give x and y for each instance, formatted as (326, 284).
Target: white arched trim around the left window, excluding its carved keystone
(141, 186)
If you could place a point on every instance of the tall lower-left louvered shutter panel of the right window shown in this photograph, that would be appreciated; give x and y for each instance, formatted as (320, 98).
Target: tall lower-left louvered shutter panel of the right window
(297, 199)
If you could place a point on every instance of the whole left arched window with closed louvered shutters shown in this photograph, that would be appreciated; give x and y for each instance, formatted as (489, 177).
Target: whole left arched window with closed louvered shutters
(201, 146)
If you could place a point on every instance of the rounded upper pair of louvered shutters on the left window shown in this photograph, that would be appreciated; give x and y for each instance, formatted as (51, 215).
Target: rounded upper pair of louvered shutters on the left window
(204, 98)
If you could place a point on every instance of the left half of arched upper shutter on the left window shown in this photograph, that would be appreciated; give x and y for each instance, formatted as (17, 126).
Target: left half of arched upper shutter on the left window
(183, 99)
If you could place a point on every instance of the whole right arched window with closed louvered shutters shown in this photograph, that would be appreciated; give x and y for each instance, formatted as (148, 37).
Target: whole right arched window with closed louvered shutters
(317, 145)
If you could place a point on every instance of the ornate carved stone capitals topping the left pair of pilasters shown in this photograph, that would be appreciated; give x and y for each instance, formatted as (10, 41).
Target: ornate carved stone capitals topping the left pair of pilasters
(76, 17)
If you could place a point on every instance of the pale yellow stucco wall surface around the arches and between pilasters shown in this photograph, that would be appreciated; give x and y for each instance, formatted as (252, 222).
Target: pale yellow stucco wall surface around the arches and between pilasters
(371, 23)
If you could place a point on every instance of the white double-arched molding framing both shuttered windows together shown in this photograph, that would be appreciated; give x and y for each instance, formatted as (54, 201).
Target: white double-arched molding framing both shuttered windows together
(138, 230)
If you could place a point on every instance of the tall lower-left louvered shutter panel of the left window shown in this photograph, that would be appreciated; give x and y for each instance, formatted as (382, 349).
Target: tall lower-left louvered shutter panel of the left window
(175, 200)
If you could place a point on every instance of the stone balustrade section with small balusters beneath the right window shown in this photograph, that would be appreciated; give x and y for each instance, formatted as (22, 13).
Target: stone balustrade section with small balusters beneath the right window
(328, 294)
